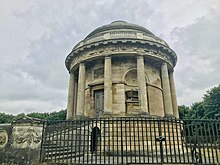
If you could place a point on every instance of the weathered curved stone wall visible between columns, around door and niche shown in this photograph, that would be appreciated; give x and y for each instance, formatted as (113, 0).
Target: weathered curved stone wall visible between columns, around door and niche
(124, 78)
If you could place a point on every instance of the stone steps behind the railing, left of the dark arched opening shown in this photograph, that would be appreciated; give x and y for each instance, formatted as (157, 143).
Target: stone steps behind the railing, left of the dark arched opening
(63, 143)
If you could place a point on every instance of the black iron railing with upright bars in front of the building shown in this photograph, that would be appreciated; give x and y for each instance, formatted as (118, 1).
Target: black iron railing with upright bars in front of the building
(131, 141)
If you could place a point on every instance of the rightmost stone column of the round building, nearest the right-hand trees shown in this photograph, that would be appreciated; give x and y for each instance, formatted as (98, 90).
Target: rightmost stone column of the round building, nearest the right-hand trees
(173, 96)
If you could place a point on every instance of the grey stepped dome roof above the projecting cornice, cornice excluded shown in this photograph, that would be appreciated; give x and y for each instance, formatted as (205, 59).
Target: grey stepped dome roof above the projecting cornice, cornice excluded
(120, 30)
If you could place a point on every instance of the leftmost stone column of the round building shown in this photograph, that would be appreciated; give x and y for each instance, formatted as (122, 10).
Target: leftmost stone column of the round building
(71, 94)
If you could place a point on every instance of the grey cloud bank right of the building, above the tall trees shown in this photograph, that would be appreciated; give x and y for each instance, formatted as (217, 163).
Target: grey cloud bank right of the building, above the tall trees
(198, 46)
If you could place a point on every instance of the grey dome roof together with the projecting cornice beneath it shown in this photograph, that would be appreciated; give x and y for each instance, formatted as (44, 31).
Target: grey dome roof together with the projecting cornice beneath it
(122, 33)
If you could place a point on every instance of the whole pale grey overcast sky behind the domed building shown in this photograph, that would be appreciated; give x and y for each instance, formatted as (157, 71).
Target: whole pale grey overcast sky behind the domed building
(36, 37)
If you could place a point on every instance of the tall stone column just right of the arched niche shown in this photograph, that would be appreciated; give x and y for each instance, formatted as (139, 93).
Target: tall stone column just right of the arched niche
(142, 93)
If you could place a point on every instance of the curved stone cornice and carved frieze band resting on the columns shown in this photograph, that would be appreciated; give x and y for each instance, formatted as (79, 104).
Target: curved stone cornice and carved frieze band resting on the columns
(117, 46)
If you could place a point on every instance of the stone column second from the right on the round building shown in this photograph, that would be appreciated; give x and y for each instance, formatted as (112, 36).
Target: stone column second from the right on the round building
(166, 91)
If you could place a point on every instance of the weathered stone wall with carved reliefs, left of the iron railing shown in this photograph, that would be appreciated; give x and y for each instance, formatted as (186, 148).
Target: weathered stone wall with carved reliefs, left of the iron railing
(20, 142)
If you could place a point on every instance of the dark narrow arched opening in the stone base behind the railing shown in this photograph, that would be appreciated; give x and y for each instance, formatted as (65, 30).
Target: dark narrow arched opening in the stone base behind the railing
(95, 138)
